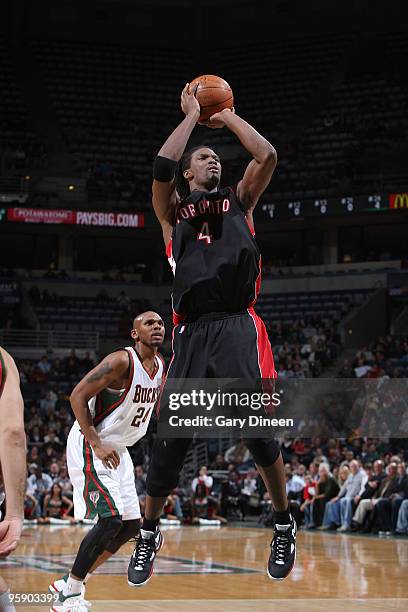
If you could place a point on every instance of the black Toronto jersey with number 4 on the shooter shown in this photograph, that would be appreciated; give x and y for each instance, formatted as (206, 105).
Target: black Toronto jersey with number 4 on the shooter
(214, 256)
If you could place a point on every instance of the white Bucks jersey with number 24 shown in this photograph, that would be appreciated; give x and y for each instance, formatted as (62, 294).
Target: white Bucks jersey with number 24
(122, 417)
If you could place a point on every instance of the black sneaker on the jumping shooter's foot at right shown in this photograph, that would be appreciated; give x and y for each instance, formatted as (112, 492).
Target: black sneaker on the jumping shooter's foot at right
(283, 552)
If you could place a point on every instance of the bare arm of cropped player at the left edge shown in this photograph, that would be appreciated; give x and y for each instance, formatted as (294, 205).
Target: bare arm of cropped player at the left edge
(12, 456)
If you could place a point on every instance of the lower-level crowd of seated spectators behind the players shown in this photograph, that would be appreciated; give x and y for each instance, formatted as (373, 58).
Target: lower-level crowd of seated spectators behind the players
(357, 483)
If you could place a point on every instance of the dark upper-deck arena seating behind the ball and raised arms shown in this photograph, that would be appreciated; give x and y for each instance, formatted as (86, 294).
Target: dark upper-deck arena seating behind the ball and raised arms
(114, 116)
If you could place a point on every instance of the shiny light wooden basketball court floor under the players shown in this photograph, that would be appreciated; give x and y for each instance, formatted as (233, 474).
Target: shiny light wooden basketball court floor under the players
(213, 569)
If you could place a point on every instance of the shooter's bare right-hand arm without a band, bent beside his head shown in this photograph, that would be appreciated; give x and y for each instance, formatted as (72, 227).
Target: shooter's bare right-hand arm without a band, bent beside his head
(259, 171)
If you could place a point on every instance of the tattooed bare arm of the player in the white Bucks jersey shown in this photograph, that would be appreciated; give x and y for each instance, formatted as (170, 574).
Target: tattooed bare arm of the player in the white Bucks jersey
(111, 368)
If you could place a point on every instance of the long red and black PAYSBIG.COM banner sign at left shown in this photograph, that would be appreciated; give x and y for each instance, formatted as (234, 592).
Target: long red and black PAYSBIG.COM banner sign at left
(76, 217)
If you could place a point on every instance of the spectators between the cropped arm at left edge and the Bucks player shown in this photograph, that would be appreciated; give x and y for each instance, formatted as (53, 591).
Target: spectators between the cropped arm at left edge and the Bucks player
(46, 384)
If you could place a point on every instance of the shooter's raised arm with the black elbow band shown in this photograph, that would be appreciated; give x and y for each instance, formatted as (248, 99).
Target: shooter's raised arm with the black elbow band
(164, 181)
